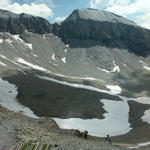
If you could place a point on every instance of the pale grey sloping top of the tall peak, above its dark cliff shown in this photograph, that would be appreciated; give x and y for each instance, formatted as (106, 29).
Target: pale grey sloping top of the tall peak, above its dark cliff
(97, 15)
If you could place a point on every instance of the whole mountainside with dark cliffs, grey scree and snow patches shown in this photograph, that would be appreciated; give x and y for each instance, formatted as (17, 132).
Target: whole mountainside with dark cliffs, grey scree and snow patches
(95, 64)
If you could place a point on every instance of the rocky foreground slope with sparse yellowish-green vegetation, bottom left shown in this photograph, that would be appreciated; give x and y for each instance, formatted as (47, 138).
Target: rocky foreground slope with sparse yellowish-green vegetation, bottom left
(17, 129)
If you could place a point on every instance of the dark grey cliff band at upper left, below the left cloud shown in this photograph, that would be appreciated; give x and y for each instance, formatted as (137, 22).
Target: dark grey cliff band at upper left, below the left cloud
(17, 24)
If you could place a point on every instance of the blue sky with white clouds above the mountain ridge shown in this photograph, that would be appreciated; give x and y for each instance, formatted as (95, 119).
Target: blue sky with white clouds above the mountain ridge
(57, 10)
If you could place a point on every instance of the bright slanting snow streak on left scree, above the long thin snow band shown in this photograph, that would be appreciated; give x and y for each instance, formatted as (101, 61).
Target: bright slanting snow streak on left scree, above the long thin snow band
(22, 61)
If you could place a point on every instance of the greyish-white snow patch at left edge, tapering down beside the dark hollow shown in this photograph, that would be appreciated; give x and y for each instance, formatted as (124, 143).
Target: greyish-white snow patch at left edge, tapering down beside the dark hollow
(8, 93)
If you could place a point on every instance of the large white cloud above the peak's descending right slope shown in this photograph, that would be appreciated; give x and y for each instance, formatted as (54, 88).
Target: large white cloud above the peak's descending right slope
(138, 9)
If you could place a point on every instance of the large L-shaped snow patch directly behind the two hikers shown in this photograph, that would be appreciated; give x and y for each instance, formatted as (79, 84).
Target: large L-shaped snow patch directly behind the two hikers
(114, 123)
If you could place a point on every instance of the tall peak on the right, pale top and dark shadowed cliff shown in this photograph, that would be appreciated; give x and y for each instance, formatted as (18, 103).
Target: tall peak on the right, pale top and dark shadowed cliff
(107, 29)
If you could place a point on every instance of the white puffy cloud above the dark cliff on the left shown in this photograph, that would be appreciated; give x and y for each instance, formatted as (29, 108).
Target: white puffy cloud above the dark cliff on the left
(36, 9)
